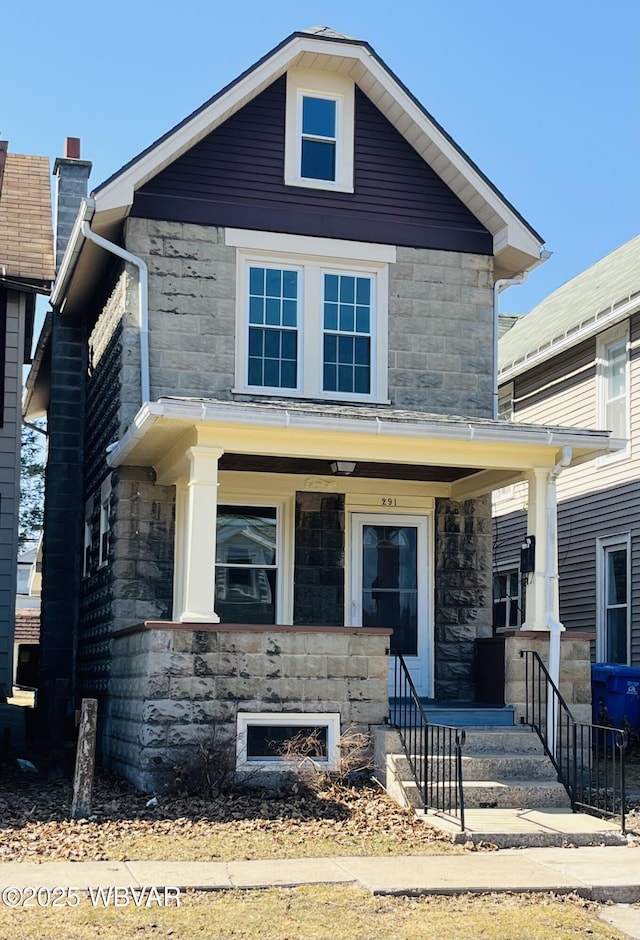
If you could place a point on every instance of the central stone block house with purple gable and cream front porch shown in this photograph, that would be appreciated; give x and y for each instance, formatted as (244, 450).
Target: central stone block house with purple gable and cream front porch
(269, 381)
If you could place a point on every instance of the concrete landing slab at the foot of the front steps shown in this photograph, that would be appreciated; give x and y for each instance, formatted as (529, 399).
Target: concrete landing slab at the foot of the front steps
(548, 826)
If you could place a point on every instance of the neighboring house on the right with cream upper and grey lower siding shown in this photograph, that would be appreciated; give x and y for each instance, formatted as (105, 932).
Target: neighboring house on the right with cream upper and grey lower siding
(573, 360)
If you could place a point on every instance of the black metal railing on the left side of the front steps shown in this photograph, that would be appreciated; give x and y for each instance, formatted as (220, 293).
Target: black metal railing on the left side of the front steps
(434, 751)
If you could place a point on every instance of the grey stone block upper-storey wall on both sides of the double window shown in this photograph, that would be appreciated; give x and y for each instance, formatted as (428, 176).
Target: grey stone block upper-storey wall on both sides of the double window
(440, 320)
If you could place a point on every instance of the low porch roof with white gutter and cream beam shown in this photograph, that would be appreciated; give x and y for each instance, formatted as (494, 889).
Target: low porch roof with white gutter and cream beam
(468, 456)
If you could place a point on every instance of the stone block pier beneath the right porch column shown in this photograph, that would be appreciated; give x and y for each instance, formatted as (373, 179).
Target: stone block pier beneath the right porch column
(575, 669)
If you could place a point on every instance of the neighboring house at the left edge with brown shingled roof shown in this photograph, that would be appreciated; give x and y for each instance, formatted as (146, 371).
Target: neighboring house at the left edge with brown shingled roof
(26, 269)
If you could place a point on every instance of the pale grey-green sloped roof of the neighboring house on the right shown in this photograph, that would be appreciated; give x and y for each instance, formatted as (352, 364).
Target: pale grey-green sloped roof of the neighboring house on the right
(604, 294)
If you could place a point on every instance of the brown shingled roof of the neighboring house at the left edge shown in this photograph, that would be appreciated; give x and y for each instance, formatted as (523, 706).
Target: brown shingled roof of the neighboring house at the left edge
(26, 233)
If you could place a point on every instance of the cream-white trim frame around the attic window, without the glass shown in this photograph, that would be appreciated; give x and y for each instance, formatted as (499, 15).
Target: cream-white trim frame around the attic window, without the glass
(340, 88)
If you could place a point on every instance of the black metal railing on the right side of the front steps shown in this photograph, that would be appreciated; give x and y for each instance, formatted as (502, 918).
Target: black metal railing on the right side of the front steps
(589, 759)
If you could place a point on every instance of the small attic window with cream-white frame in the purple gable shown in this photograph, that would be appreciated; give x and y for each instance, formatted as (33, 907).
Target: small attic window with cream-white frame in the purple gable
(319, 131)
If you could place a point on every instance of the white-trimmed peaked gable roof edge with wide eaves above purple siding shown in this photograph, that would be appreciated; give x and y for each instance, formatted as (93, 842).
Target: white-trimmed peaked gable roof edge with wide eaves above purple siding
(516, 245)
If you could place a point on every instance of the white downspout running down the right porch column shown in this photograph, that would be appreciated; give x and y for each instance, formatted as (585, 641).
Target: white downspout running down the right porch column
(556, 628)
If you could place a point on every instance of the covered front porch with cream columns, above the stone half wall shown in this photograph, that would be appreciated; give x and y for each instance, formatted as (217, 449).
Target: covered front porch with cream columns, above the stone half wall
(360, 517)
